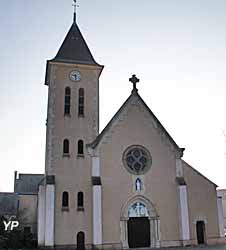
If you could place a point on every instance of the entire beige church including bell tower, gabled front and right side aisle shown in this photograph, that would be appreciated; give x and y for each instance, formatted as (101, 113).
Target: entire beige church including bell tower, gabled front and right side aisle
(126, 187)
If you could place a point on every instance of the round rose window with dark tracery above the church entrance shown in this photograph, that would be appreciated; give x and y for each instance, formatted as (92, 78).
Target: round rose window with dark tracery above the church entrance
(137, 159)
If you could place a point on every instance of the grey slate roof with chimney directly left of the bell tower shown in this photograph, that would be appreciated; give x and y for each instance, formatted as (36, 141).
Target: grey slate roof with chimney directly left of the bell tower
(28, 183)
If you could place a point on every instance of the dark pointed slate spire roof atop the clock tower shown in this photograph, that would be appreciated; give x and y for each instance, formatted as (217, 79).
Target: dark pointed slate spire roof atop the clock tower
(74, 49)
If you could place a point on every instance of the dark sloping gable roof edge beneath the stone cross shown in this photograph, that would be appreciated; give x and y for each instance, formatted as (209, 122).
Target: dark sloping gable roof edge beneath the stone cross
(98, 139)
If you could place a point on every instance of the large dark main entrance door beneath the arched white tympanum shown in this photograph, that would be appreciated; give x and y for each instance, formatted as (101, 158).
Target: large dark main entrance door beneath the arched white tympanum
(138, 232)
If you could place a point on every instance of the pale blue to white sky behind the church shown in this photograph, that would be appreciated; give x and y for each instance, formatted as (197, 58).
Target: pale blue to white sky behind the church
(176, 48)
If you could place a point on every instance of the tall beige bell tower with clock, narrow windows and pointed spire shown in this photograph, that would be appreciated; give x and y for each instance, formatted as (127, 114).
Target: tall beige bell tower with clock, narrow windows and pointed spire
(65, 196)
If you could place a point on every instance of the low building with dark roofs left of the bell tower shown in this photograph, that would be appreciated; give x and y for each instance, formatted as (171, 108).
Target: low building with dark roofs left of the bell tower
(22, 204)
